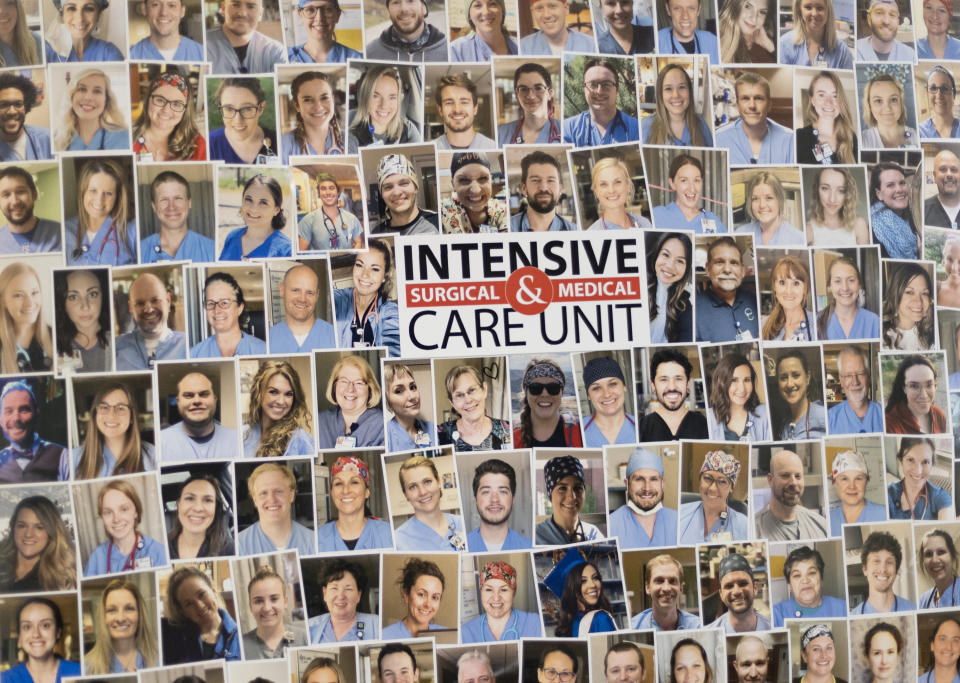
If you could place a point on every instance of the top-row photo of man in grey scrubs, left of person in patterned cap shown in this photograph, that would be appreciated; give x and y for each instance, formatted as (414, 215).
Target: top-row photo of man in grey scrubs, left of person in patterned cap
(236, 46)
